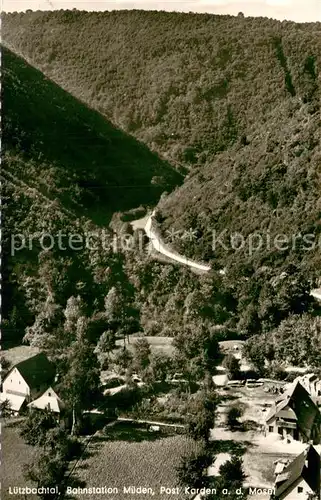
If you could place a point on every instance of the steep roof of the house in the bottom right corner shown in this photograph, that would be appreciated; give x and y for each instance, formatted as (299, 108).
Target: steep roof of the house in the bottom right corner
(297, 468)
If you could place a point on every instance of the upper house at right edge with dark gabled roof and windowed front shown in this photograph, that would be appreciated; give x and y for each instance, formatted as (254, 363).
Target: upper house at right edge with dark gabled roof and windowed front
(295, 415)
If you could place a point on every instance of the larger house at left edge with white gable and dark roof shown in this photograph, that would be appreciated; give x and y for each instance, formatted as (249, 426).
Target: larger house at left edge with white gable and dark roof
(26, 381)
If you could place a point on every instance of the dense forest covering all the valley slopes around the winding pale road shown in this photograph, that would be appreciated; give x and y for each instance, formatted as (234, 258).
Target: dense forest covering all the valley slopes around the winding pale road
(106, 112)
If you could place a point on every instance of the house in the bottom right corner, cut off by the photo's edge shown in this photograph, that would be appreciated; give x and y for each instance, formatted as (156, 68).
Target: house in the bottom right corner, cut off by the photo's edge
(299, 479)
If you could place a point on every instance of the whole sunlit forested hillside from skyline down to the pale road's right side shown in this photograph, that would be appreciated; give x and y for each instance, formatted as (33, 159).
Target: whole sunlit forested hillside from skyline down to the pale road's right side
(235, 101)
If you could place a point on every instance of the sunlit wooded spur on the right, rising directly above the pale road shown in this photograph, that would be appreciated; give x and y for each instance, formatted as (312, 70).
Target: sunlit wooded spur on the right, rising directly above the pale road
(271, 186)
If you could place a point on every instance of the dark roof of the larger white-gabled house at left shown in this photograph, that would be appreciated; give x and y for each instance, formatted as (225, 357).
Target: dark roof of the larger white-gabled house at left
(37, 370)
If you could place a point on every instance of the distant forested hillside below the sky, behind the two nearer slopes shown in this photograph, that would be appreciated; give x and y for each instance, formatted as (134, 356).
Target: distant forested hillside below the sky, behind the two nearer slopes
(187, 85)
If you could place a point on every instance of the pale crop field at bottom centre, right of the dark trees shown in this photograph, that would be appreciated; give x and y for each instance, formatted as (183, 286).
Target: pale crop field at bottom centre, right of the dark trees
(134, 457)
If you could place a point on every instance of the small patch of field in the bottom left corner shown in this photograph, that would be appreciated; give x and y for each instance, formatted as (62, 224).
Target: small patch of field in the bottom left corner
(16, 454)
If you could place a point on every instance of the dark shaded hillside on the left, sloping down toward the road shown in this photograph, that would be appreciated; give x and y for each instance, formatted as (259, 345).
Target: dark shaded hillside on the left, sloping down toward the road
(70, 153)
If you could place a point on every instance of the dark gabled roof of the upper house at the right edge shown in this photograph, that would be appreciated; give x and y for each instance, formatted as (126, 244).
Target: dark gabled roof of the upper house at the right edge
(301, 403)
